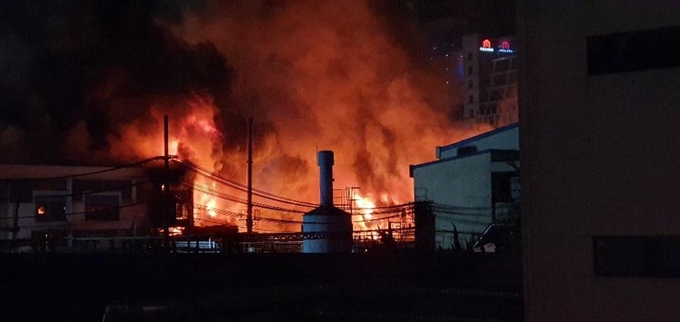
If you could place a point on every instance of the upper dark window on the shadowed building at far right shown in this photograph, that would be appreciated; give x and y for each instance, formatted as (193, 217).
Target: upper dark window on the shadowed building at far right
(635, 50)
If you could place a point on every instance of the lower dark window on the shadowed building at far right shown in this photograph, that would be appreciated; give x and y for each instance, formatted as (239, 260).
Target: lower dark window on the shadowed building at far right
(638, 256)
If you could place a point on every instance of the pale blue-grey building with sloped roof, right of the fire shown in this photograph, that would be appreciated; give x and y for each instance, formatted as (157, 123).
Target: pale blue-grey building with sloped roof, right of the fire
(471, 184)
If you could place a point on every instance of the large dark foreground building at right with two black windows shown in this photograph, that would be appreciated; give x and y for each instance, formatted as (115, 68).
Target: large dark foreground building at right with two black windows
(599, 111)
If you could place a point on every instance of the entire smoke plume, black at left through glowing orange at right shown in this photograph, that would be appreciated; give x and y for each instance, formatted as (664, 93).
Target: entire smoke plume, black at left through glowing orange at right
(82, 80)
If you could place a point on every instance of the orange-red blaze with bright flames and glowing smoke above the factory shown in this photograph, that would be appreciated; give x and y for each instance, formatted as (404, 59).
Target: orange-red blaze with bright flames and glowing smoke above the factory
(314, 75)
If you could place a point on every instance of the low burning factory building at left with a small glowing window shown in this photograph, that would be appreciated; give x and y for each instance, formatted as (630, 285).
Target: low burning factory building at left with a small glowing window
(71, 208)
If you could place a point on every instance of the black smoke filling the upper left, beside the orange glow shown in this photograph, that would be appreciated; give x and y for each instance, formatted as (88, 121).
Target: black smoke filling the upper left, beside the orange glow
(94, 65)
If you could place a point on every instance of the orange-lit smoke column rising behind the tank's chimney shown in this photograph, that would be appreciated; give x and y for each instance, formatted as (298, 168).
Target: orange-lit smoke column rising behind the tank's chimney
(329, 75)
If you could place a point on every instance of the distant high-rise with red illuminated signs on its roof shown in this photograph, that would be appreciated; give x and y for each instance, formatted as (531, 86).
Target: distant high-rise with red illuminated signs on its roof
(490, 80)
